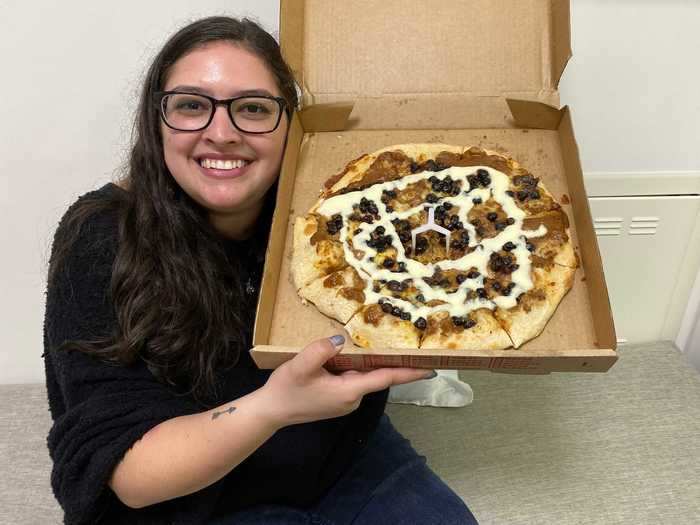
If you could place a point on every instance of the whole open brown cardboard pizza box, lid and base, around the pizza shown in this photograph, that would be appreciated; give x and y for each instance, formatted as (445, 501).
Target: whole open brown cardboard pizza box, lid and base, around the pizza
(473, 73)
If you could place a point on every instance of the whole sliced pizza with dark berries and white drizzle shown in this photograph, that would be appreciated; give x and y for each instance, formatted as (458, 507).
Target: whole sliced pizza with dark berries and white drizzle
(435, 246)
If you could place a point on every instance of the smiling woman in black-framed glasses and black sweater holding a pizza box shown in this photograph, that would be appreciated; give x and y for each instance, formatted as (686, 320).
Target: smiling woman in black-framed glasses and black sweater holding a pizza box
(160, 415)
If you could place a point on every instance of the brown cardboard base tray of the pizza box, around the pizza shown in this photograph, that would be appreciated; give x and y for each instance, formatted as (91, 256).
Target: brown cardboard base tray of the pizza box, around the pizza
(580, 335)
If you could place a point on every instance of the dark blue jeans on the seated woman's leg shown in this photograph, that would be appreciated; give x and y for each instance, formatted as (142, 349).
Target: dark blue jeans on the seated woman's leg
(389, 484)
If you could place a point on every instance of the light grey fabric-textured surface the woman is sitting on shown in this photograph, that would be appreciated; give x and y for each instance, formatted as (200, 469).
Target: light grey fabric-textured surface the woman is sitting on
(615, 448)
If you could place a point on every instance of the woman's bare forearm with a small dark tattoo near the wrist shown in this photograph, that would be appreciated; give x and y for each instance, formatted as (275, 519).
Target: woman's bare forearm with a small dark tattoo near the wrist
(188, 453)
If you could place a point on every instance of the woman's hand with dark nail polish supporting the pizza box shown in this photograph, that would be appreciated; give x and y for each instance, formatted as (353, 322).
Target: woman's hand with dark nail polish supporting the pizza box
(301, 390)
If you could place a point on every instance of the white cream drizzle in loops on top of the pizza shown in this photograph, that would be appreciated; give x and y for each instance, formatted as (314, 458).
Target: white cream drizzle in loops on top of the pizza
(456, 303)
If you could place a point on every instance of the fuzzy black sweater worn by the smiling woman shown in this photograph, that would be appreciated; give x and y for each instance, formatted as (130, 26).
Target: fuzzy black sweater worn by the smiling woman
(101, 410)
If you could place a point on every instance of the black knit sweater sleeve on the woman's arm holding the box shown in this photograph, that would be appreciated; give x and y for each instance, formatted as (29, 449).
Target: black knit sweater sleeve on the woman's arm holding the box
(99, 410)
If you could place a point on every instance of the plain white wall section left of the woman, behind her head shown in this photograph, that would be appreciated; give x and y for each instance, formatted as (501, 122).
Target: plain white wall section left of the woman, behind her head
(69, 81)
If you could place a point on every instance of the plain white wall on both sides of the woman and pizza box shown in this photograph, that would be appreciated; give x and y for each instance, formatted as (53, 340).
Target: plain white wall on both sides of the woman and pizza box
(71, 71)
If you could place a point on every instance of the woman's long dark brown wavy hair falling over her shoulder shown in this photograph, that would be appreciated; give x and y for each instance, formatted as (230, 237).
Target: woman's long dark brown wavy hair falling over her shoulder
(171, 267)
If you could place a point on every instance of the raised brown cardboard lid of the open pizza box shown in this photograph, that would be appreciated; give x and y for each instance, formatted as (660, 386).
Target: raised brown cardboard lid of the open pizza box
(426, 64)
